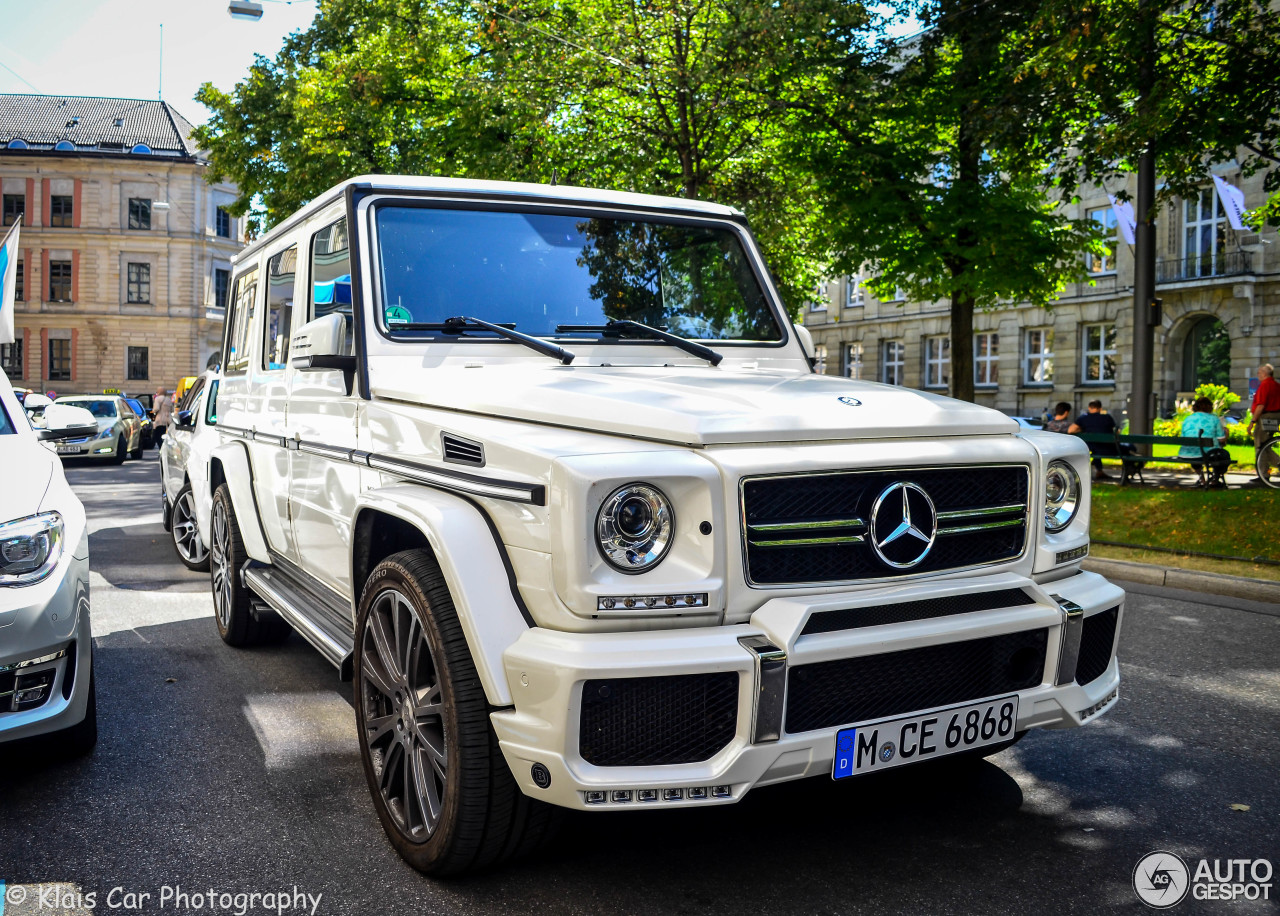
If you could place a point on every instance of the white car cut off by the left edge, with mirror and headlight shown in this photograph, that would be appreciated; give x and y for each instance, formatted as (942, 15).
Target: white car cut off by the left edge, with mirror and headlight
(47, 680)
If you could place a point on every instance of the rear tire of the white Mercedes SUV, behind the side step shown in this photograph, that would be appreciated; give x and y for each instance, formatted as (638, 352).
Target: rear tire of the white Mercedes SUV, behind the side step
(234, 602)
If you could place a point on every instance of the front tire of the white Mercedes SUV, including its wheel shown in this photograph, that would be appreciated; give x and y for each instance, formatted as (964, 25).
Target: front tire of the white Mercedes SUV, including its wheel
(481, 817)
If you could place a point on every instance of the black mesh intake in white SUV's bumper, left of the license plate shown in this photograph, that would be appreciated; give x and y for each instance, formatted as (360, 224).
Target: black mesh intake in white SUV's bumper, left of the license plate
(650, 722)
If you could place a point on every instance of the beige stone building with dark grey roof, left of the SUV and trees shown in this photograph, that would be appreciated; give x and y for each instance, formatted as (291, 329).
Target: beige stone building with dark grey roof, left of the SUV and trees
(126, 249)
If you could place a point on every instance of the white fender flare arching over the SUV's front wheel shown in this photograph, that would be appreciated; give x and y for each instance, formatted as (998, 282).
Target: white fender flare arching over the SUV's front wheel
(478, 575)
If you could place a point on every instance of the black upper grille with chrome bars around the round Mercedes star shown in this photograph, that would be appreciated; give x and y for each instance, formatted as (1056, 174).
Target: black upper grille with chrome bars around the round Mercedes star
(813, 506)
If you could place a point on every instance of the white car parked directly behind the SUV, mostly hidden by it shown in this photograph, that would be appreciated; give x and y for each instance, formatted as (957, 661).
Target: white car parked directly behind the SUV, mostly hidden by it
(185, 470)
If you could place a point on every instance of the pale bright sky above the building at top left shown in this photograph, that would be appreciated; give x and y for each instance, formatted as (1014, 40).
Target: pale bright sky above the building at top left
(112, 48)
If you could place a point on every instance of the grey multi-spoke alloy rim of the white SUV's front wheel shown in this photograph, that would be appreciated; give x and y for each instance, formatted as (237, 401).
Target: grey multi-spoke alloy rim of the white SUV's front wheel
(404, 716)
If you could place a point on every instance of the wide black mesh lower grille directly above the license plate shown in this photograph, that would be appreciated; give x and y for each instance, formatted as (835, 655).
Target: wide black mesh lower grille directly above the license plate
(877, 686)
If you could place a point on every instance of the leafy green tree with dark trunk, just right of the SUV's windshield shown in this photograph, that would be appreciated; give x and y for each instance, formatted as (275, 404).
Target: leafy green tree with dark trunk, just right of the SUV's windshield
(931, 157)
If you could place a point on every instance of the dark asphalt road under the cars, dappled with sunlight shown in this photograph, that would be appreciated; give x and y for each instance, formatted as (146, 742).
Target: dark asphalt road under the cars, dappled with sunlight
(236, 771)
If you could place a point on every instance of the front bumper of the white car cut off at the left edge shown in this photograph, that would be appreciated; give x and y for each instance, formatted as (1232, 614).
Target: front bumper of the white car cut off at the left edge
(49, 619)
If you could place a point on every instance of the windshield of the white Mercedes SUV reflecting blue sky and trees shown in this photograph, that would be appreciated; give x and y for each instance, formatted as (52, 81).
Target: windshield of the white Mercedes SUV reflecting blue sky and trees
(540, 272)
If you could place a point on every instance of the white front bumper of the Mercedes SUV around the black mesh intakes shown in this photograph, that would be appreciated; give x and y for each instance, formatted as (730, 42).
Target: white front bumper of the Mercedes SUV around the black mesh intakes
(547, 672)
